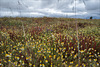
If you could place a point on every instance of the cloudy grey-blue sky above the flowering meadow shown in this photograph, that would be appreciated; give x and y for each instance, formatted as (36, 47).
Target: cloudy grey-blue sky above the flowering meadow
(50, 8)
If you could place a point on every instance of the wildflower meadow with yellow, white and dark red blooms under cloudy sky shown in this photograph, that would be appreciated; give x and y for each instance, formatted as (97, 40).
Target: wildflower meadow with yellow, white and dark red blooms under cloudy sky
(49, 42)
